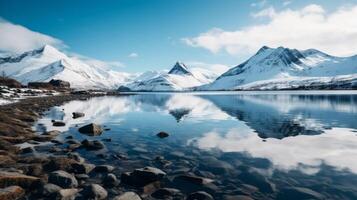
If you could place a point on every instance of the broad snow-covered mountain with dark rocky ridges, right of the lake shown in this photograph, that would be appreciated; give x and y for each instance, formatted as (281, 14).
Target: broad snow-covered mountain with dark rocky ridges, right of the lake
(284, 68)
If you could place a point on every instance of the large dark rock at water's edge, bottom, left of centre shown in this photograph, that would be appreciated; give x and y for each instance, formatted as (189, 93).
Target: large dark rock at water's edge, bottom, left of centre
(143, 176)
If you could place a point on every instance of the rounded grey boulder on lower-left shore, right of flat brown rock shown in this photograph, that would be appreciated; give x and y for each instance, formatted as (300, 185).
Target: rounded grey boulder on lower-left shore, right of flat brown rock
(63, 179)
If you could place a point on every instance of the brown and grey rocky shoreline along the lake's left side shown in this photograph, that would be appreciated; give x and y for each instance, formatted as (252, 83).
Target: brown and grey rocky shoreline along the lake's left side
(56, 171)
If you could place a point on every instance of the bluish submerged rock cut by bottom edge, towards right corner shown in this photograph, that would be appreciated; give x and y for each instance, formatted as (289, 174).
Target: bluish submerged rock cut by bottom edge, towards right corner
(298, 193)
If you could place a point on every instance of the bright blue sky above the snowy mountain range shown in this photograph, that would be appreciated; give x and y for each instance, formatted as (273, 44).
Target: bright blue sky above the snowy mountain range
(156, 33)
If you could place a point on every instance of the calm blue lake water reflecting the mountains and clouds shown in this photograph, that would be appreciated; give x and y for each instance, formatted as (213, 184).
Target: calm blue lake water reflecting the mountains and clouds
(265, 145)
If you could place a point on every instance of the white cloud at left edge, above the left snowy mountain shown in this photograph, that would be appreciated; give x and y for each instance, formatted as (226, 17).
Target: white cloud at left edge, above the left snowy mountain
(16, 38)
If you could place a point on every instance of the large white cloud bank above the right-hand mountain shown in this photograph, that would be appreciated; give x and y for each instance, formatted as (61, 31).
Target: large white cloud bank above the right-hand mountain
(309, 27)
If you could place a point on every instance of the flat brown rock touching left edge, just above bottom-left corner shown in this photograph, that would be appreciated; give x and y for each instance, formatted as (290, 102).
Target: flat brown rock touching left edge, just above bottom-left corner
(15, 178)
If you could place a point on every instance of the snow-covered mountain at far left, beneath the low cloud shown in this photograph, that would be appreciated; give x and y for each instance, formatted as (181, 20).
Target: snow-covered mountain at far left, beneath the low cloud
(48, 63)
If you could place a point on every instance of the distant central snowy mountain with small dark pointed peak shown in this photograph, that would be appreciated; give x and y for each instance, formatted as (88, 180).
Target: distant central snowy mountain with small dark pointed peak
(177, 79)
